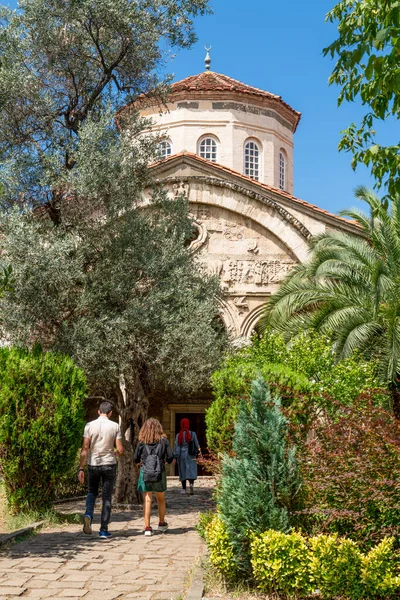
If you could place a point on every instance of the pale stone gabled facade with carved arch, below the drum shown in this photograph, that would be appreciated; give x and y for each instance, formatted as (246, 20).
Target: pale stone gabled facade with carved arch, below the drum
(249, 234)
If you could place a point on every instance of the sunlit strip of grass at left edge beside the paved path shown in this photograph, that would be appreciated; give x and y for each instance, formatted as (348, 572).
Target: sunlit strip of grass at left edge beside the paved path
(10, 522)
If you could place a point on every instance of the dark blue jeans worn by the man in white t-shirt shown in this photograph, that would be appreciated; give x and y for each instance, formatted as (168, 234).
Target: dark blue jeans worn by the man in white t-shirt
(105, 473)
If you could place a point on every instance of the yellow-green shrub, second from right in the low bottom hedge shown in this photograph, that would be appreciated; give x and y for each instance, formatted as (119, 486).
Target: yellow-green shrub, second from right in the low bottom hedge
(335, 565)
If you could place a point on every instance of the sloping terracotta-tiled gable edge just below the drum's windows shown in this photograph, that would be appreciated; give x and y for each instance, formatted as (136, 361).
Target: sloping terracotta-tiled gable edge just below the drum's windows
(263, 186)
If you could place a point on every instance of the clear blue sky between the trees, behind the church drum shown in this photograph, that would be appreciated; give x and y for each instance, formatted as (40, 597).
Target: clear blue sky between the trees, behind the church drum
(277, 46)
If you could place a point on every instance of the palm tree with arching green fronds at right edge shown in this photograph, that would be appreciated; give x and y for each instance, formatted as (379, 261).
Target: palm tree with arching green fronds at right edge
(350, 288)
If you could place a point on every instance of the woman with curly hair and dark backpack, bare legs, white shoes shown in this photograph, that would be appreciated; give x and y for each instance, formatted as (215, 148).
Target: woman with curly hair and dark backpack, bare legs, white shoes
(152, 452)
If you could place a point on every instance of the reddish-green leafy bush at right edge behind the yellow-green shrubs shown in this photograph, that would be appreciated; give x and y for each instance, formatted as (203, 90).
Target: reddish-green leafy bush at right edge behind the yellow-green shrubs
(350, 475)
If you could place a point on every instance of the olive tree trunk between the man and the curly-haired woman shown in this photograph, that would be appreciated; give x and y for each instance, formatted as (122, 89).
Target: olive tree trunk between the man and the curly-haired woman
(132, 405)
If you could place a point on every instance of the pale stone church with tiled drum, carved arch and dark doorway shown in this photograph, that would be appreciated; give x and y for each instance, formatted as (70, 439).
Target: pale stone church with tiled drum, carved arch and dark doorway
(228, 147)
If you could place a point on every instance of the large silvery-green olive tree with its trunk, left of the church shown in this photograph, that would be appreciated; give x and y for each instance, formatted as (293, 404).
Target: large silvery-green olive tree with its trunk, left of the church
(101, 271)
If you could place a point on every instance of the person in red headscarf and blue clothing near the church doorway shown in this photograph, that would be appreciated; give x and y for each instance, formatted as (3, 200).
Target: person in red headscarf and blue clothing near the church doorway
(186, 452)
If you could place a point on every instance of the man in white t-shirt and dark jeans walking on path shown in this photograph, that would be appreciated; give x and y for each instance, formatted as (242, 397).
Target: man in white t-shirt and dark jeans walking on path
(102, 440)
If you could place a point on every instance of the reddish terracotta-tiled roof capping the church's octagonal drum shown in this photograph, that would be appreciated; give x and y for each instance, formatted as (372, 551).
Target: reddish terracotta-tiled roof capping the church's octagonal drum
(216, 86)
